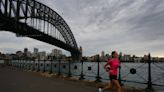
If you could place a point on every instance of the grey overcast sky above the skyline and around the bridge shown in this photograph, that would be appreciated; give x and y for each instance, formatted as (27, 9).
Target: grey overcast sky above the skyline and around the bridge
(128, 26)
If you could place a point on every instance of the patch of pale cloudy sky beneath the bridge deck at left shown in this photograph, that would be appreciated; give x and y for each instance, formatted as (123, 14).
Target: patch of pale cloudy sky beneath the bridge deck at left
(10, 43)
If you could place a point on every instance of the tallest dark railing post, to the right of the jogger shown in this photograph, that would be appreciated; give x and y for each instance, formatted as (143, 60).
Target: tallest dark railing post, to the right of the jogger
(149, 84)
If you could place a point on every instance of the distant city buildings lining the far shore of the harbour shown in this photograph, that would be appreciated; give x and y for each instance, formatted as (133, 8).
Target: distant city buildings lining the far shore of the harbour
(57, 54)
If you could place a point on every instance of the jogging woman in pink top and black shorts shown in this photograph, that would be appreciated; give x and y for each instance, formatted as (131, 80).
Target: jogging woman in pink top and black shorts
(114, 64)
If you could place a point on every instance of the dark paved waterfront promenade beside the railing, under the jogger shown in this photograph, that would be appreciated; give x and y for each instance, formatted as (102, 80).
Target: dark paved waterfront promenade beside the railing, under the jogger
(13, 79)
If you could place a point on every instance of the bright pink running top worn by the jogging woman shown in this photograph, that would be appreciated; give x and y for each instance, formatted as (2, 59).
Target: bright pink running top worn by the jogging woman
(114, 64)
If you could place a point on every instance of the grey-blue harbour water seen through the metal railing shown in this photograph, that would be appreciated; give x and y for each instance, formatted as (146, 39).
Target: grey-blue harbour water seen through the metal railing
(90, 71)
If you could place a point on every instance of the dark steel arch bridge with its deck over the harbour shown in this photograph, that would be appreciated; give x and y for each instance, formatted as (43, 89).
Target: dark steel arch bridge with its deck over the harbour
(15, 15)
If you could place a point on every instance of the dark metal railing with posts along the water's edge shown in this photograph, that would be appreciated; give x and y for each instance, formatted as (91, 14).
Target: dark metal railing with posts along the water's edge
(134, 72)
